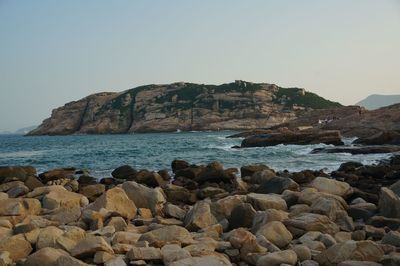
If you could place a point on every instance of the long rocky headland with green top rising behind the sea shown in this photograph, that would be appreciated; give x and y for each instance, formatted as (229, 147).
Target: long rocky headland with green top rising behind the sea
(183, 106)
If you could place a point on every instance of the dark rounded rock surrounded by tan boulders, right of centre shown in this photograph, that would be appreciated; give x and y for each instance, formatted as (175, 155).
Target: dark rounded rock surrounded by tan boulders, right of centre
(242, 216)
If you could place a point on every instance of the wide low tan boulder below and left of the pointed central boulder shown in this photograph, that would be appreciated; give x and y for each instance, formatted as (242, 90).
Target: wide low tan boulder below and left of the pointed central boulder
(168, 234)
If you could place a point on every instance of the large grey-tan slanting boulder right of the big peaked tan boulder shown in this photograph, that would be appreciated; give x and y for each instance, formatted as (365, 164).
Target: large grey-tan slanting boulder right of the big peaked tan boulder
(144, 197)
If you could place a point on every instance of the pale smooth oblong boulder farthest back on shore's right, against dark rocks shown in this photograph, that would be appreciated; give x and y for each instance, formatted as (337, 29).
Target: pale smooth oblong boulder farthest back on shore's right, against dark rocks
(331, 186)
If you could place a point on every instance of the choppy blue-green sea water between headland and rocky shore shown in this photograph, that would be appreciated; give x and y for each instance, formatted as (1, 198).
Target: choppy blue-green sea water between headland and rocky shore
(100, 154)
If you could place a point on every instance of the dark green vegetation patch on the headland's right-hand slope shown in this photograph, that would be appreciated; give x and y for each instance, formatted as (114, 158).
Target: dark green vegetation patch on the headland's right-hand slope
(299, 97)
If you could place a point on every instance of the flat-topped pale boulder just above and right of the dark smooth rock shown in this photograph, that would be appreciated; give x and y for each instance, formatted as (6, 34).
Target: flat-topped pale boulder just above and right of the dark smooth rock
(266, 201)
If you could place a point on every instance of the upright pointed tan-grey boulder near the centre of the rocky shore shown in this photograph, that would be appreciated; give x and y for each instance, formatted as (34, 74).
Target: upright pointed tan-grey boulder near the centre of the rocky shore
(199, 216)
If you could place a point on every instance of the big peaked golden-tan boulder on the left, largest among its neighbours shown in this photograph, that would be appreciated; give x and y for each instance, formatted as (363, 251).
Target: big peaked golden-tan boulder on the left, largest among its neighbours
(115, 200)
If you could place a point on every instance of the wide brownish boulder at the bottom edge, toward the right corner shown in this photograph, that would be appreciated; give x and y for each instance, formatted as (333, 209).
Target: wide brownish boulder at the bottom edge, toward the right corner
(350, 250)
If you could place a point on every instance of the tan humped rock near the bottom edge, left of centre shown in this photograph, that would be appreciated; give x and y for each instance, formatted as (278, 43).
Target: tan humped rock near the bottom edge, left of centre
(89, 246)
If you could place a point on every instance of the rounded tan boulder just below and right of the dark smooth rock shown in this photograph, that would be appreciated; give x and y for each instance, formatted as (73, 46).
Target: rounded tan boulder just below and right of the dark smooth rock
(277, 233)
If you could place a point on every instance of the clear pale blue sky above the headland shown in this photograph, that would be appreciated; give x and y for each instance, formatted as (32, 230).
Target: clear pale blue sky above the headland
(53, 52)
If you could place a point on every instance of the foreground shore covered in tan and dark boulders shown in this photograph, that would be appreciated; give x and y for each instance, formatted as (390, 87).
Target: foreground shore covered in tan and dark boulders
(202, 215)
